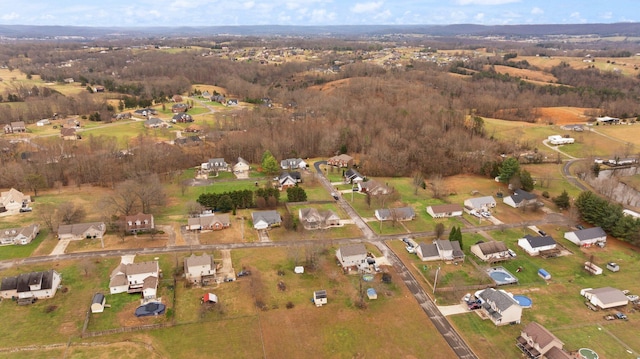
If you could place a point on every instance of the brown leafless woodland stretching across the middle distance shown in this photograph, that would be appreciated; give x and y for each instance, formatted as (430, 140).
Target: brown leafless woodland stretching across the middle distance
(396, 120)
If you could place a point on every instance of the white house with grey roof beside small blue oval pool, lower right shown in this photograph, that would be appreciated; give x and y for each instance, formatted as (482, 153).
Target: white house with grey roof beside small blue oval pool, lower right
(500, 307)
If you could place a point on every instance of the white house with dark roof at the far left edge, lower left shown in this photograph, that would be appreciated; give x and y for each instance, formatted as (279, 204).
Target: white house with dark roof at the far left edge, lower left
(38, 285)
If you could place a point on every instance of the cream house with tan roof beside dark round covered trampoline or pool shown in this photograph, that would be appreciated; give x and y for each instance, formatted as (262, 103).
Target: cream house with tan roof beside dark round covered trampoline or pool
(129, 277)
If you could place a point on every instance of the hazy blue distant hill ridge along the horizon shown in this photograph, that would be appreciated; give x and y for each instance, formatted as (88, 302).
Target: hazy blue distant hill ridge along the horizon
(88, 33)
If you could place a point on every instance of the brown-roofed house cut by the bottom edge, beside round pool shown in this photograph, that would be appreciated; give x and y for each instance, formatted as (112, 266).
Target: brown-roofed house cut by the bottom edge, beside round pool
(536, 341)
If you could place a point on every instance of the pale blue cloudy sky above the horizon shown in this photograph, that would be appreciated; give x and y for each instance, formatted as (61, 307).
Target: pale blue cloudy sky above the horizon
(174, 13)
